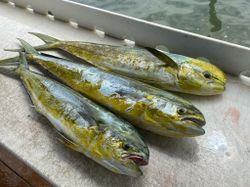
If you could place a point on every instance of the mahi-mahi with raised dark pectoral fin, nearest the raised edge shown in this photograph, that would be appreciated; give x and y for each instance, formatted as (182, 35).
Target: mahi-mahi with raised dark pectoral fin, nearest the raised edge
(164, 70)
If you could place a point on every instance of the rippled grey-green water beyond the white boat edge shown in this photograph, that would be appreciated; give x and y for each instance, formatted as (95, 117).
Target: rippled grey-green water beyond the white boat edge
(228, 20)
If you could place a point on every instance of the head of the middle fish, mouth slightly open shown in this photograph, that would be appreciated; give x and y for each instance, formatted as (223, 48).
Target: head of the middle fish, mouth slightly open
(175, 117)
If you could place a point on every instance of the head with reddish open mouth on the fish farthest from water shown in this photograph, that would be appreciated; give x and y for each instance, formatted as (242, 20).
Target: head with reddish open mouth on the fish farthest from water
(126, 152)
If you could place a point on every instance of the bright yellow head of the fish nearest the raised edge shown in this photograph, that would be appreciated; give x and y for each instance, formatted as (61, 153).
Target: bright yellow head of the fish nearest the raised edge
(199, 77)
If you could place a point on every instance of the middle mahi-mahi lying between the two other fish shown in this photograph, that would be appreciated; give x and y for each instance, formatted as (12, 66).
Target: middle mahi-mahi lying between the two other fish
(142, 105)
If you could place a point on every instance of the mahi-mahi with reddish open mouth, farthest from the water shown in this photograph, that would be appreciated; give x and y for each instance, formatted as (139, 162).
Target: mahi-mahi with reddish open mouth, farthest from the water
(83, 125)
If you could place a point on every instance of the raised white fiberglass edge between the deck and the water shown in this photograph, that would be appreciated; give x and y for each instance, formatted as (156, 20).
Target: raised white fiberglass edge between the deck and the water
(230, 57)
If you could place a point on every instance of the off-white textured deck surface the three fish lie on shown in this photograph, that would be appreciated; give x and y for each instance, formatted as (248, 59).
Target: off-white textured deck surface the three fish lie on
(219, 158)
